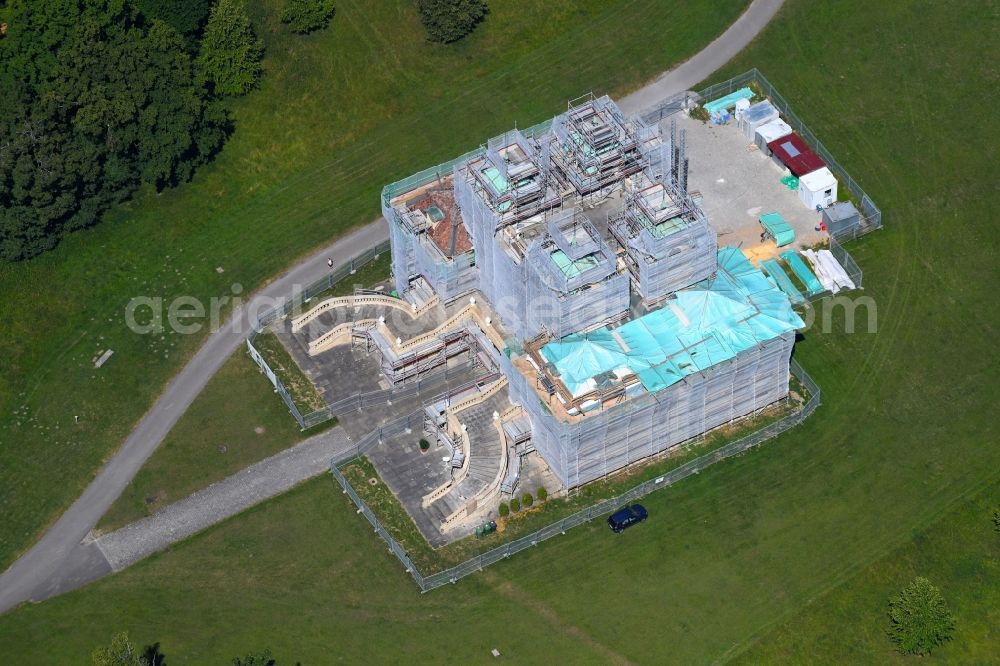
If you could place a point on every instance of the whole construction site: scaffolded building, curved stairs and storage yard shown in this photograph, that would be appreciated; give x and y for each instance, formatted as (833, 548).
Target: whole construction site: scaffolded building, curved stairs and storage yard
(591, 292)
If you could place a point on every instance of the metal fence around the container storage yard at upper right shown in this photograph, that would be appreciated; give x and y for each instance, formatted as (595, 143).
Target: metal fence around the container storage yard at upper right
(871, 215)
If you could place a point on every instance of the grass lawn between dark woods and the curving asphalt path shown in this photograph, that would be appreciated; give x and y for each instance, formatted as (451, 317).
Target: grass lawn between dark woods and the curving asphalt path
(339, 114)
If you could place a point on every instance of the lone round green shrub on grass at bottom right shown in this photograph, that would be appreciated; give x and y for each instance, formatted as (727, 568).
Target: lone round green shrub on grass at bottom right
(919, 618)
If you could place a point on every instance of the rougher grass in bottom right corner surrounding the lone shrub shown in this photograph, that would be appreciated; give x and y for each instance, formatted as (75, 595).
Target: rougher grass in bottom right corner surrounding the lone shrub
(960, 554)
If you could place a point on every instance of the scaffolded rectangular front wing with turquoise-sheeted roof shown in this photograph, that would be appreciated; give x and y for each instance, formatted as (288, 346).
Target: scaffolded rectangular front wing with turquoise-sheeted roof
(602, 400)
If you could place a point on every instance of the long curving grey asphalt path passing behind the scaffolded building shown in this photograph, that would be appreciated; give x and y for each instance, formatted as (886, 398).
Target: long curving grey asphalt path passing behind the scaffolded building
(64, 558)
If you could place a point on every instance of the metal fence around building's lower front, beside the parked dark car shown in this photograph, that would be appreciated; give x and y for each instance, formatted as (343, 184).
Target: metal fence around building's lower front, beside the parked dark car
(599, 510)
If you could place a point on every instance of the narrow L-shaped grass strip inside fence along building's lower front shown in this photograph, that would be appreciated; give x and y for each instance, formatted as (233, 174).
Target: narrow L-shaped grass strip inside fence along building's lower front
(429, 560)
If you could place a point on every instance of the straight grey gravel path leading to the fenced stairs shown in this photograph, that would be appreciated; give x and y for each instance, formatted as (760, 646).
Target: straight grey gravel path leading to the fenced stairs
(265, 479)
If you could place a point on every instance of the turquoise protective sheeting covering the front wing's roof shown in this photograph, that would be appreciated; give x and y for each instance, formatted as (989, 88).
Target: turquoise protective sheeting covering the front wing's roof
(701, 326)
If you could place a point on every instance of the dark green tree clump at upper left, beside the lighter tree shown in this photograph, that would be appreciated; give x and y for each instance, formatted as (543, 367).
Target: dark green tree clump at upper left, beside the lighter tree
(95, 101)
